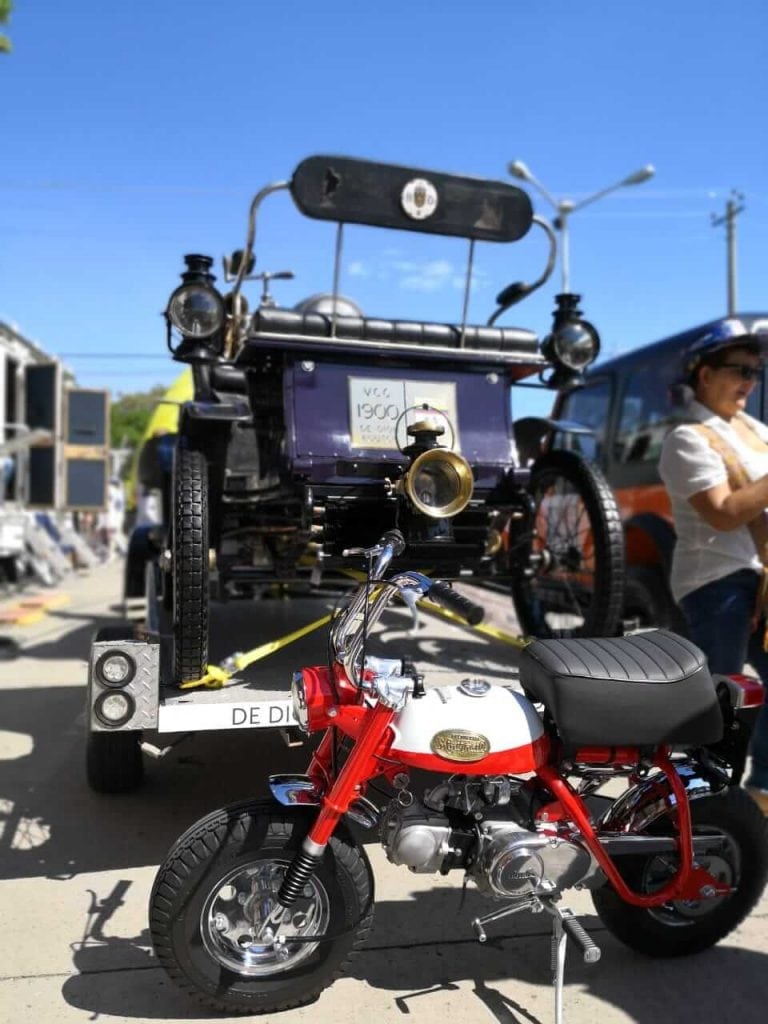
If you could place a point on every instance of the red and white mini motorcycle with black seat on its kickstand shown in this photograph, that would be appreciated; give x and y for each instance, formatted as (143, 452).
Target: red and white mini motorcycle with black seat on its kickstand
(261, 906)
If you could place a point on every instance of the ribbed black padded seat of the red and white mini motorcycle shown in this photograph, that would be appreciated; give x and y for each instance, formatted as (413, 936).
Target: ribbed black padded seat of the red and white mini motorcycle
(637, 691)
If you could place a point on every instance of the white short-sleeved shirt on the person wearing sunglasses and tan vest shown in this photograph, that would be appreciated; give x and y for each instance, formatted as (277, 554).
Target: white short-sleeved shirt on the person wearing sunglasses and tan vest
(689, 466)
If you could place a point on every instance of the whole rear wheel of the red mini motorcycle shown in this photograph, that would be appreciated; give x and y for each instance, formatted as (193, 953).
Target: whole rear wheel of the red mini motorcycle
(739, 858)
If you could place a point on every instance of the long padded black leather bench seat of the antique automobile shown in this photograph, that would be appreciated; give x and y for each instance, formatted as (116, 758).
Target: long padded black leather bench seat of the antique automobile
(287, 322)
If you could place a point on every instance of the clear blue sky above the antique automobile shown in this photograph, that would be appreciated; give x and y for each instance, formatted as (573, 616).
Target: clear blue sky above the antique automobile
(136, 133)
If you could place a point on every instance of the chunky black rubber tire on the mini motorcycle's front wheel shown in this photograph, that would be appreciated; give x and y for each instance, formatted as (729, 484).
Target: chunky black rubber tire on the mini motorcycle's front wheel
(241, 834)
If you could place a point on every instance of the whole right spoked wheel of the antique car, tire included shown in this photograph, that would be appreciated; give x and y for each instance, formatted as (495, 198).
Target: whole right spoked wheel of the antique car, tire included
(569, 571)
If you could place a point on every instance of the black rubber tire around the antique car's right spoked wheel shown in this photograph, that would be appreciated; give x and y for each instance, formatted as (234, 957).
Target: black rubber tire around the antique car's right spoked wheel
(603, 617)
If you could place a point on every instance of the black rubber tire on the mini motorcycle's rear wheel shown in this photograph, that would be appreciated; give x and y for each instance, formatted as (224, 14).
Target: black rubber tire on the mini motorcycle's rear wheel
(736, 814)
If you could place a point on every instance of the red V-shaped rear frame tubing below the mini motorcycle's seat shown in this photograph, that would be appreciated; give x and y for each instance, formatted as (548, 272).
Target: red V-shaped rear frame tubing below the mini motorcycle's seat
(689, 881)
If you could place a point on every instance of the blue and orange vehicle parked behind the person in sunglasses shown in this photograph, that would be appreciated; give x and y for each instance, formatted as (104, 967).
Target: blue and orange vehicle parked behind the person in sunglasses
(624, 408)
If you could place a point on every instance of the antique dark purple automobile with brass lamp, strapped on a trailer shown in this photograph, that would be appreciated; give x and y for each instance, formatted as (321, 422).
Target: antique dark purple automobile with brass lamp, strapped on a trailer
(314, 431)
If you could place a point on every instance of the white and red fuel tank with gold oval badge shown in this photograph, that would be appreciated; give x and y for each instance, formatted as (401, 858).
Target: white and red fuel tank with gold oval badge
(474, 729)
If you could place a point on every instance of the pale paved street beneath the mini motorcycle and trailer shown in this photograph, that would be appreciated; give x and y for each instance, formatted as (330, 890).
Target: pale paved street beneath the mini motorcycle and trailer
(76, 870)
